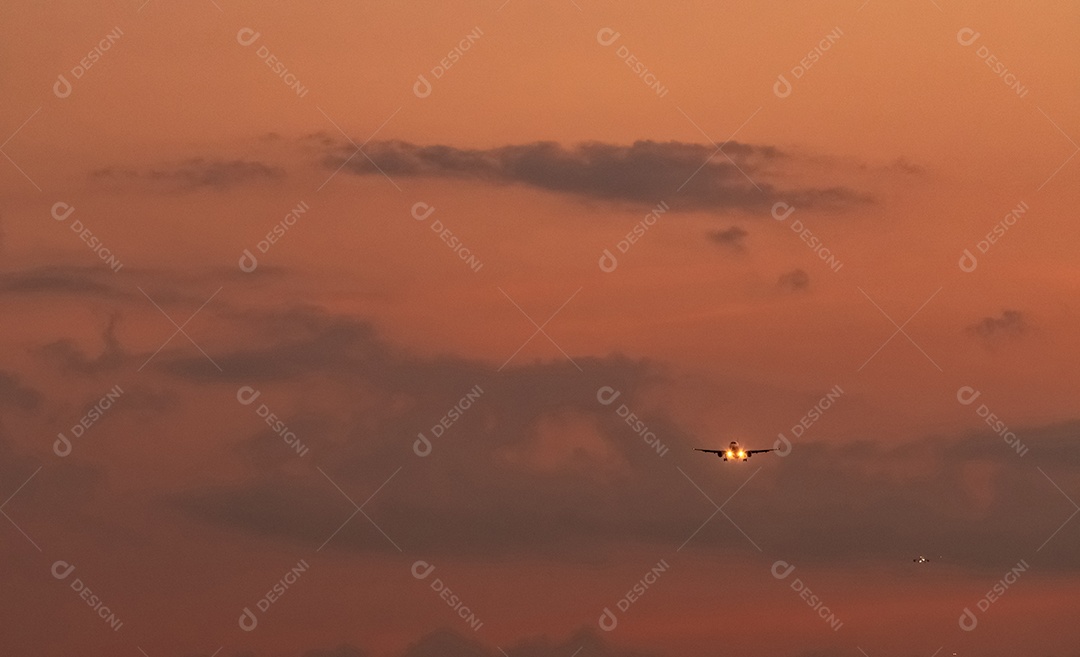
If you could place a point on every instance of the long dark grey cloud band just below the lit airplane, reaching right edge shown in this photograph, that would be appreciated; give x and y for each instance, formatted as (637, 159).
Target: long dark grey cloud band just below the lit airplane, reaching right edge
(825, 505)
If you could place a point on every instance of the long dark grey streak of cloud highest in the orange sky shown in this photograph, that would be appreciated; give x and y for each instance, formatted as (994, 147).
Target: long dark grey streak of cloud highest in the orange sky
(692, 177)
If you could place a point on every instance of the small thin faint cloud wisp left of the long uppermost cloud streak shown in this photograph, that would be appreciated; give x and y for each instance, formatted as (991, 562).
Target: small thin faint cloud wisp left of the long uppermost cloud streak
(197, 173)
